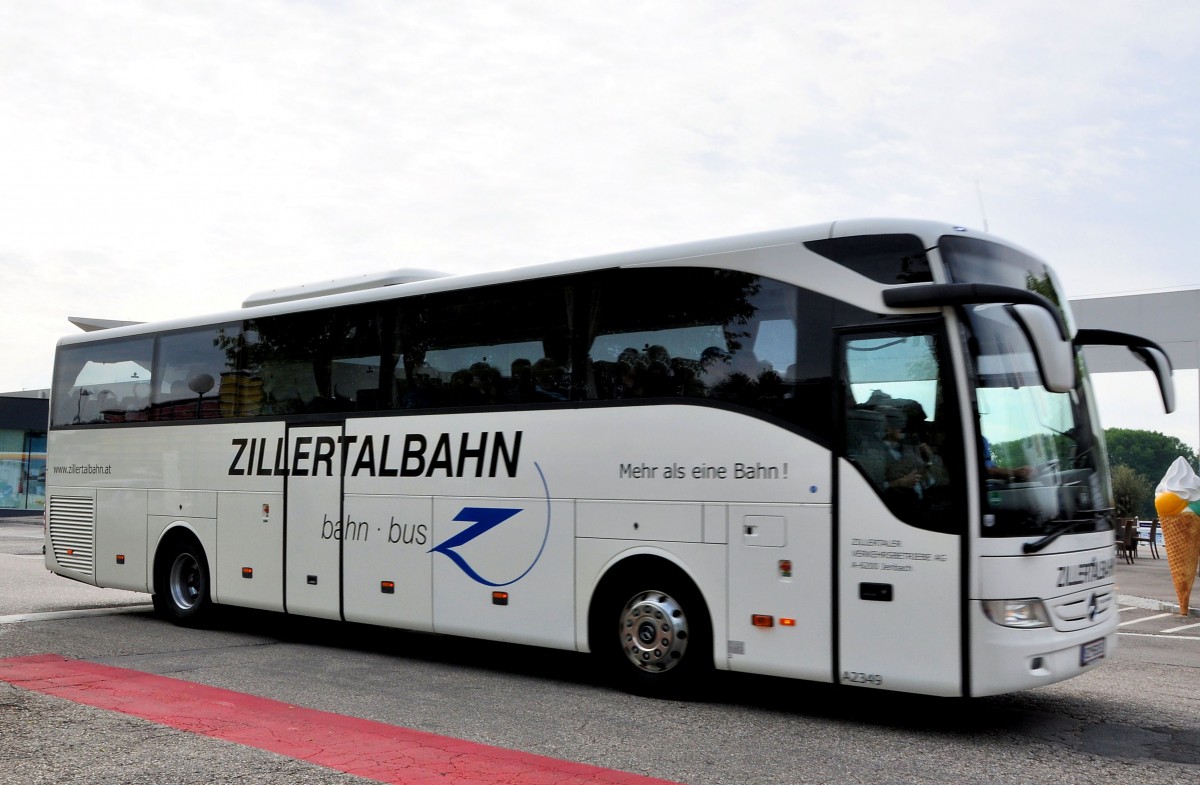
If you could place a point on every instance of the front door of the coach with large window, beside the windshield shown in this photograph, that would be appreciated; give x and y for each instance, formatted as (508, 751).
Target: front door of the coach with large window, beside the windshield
(901, 514)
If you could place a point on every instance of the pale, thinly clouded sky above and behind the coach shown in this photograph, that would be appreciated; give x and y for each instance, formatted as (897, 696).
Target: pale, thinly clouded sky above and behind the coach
(163, 160)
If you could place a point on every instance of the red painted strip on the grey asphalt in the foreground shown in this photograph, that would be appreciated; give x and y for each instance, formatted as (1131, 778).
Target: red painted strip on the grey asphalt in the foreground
(364, 748)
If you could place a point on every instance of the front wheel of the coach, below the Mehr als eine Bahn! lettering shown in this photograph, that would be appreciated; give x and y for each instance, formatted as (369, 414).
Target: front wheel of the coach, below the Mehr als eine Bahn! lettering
(651, 631)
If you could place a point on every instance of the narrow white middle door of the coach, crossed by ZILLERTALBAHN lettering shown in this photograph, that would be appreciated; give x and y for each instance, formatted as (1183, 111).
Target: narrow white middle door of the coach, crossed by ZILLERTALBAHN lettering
(314, 525)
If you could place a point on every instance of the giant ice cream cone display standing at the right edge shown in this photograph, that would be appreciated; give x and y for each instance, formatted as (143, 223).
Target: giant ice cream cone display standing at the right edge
(1178, 502)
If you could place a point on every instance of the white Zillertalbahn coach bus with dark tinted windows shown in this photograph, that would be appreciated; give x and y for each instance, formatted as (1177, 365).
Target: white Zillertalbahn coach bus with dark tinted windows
(862, 453)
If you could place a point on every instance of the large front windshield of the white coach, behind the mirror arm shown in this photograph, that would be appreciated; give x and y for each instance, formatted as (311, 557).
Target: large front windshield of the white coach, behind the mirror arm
(1040, 453)
